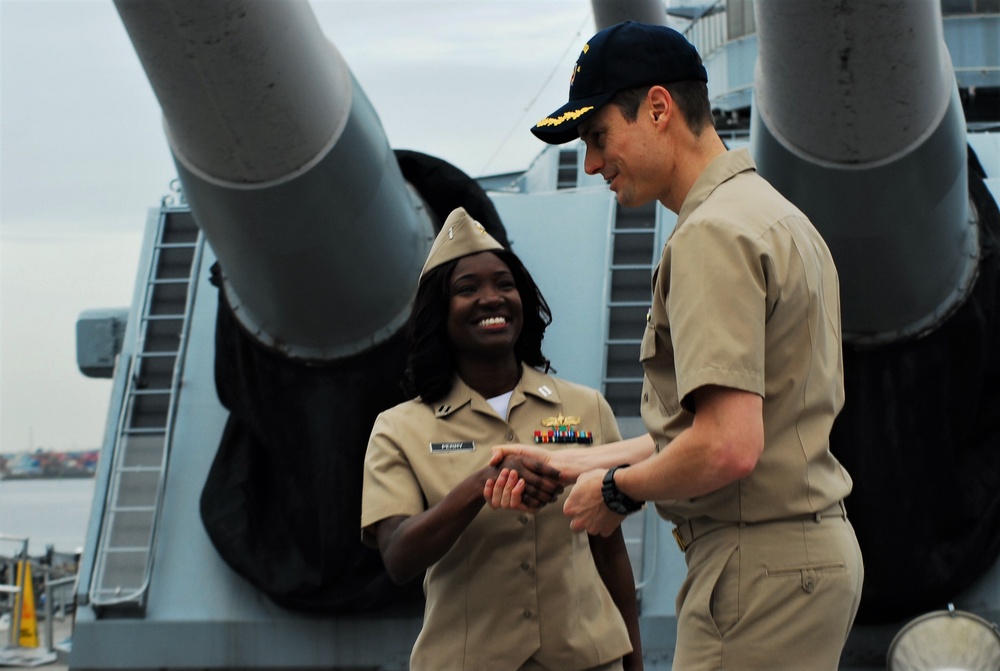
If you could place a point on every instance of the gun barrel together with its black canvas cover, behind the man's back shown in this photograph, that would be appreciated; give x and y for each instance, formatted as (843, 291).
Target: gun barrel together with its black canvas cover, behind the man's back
(857, 119)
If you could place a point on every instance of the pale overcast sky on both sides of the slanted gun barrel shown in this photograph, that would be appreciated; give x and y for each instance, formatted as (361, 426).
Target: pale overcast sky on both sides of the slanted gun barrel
(83, 156)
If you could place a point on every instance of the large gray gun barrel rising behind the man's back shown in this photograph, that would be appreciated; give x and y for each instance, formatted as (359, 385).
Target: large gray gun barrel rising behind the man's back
(857, 119)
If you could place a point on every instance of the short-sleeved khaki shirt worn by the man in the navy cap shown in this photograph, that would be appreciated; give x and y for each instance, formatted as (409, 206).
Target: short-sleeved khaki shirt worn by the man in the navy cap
(746, 296)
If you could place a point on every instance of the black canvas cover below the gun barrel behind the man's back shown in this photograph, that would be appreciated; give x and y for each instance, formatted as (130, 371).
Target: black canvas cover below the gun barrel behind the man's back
(920, 435)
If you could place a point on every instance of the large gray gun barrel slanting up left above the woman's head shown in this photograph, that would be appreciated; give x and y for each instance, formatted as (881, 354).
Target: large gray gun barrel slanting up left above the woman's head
(287, 171)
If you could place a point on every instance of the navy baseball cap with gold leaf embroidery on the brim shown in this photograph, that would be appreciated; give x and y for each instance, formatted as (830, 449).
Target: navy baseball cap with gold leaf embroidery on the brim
(623, 56)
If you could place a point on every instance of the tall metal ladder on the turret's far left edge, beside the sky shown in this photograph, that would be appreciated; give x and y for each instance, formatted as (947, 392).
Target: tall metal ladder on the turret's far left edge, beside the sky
(124, 556)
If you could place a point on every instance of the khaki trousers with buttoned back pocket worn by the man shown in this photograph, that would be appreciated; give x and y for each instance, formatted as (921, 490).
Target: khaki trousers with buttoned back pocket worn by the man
(775, 596)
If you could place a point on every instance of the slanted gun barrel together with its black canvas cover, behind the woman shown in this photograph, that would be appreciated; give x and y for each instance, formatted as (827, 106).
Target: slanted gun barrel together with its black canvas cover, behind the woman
(320, 237)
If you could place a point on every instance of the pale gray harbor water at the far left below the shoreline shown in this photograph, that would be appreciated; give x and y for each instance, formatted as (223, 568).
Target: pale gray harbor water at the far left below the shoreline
(46, 511)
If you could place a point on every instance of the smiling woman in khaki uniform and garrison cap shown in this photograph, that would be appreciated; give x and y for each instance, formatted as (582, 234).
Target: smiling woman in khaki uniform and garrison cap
(566, 601)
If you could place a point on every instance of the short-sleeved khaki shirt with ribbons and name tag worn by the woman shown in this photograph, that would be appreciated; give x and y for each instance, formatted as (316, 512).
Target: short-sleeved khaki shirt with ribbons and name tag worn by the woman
(514, 586)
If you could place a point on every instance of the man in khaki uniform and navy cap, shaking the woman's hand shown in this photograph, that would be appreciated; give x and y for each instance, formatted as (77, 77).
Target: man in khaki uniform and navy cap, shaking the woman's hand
(743, 372)
